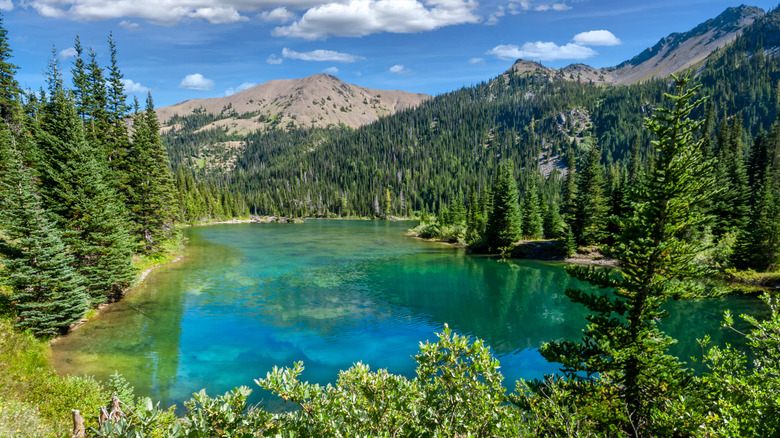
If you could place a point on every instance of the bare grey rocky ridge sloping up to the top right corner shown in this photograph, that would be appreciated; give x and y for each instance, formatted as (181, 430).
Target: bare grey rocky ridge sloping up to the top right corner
(671, 54)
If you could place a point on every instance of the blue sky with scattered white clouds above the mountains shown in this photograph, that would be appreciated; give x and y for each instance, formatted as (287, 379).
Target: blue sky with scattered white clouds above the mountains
(187, 49)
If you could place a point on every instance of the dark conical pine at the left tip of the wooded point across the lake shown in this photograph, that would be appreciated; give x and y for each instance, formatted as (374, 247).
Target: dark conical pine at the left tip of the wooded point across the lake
(504, 223)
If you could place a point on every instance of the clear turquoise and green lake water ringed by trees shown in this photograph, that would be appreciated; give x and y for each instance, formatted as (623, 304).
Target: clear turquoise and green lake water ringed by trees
(332, 293)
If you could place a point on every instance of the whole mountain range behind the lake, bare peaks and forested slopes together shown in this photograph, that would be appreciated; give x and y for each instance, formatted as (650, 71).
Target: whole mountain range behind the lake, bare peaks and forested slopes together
(320, 147)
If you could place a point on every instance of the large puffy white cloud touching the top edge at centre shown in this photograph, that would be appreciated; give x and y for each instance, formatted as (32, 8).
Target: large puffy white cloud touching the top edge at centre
(365, 17)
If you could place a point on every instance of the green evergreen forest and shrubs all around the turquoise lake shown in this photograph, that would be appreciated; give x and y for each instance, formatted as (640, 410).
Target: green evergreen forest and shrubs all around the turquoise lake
(675, 179)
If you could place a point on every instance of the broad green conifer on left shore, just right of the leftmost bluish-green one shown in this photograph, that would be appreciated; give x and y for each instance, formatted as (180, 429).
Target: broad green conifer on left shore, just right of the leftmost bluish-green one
(88, 211)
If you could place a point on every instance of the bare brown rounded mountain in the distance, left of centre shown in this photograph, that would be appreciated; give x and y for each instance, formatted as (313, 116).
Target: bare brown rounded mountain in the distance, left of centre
(321, 101)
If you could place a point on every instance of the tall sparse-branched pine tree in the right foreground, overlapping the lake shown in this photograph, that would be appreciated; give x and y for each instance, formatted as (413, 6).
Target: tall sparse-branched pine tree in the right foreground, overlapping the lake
(623, 343)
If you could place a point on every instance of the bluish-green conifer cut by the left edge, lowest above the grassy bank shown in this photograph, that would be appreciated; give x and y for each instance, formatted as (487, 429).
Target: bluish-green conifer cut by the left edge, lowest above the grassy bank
(47, 293)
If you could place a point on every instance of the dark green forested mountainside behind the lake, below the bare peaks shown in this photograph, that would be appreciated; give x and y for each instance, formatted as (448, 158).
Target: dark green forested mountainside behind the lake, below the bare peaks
(427, 157)
